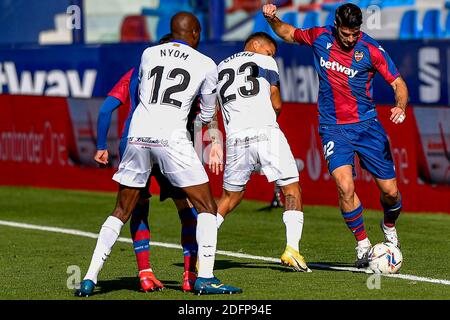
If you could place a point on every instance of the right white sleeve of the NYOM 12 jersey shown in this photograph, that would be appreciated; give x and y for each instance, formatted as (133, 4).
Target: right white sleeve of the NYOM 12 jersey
(208, 94)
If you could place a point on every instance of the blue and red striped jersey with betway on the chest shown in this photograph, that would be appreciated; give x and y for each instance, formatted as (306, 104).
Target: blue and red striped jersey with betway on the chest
(345, 77)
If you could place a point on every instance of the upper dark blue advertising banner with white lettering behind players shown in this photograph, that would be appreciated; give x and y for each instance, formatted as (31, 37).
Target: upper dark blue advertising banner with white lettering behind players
(92, 70)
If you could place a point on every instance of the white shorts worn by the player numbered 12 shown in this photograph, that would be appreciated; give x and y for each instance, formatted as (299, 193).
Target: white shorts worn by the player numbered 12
(177, 160)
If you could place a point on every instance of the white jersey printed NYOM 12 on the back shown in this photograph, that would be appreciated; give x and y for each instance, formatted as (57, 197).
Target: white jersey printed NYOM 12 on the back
(171, 75)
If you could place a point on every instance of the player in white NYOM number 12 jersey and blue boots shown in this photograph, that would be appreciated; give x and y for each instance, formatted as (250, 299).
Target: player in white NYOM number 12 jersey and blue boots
(171, 76)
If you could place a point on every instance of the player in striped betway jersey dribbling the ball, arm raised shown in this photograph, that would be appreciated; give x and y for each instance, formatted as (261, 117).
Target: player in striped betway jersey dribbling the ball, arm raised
(346, 60)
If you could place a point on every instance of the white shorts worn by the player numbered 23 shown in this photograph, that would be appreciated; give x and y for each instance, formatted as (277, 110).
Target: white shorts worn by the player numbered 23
(265, 148)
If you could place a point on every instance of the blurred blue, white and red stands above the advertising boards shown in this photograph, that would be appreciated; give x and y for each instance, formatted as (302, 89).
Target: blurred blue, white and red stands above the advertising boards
(112, 21)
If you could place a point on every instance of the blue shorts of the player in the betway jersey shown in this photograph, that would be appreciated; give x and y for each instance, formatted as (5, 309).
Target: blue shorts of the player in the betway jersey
(367, 139)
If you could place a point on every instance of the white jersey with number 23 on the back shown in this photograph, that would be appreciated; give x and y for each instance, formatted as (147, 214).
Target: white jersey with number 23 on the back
(244, 91)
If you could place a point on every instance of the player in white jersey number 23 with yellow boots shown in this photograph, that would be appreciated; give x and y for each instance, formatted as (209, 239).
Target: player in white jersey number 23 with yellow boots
(250, 100)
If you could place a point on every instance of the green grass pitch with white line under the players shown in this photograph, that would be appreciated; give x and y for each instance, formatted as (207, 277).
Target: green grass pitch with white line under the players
(34, 263)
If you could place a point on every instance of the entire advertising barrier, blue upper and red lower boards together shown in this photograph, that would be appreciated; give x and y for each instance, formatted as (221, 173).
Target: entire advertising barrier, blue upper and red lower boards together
(50, 95)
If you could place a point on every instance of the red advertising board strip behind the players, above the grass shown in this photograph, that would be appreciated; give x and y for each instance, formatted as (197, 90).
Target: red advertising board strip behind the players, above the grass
(50, 142)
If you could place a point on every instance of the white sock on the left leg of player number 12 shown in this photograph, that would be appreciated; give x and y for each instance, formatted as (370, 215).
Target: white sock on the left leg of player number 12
(107, 237)
